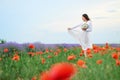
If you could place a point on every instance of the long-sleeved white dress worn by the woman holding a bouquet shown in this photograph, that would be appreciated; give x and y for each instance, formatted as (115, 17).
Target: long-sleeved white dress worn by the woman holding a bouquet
(82, 36)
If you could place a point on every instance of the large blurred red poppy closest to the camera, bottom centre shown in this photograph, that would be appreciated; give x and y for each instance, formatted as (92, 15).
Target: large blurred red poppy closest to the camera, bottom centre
(61, 71)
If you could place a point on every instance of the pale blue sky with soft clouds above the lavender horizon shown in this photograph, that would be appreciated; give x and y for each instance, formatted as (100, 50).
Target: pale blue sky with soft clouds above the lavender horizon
(46, 21)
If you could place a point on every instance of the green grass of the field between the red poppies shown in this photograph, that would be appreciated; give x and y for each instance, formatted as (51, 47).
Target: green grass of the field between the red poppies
(28, 67)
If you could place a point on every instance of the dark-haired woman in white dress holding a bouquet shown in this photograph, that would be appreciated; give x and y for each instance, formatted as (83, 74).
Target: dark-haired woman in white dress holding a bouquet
(82, 33)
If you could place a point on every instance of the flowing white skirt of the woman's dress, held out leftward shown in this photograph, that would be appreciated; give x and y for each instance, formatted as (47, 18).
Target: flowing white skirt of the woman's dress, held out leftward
(83, 37)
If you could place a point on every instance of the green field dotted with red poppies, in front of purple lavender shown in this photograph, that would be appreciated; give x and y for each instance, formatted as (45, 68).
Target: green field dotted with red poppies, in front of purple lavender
(60, 63)
